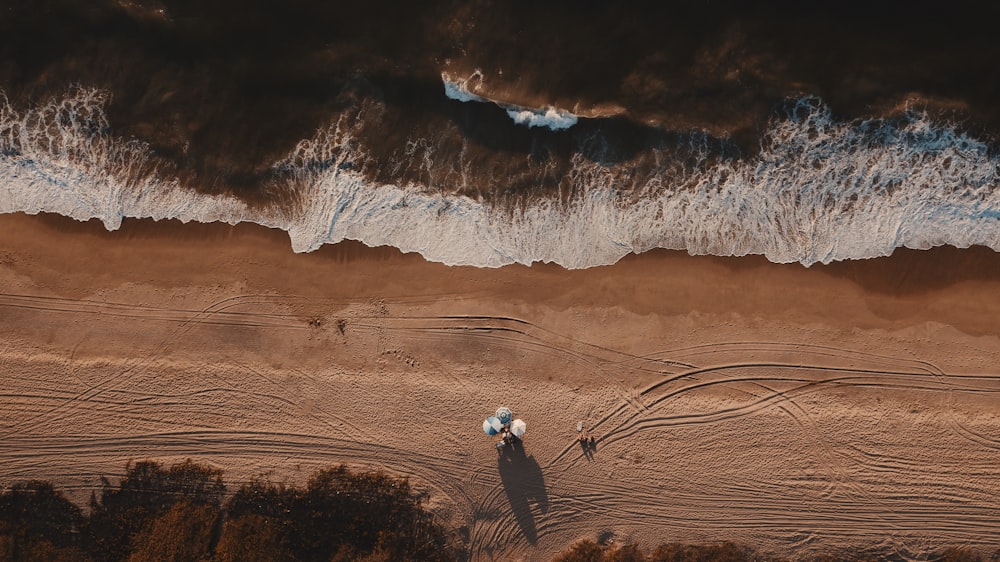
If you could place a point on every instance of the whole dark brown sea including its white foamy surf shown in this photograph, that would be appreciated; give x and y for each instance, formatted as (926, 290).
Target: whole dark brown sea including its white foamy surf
(490, 132)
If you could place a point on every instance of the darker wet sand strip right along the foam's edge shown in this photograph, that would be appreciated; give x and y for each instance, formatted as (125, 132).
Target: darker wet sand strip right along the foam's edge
(886, 284)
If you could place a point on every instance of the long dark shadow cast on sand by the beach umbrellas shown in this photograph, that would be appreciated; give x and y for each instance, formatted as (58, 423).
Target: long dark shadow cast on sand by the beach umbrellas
(524, 484)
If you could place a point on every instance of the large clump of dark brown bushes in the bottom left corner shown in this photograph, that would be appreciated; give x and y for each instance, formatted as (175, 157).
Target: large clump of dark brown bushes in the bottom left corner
(181, 513)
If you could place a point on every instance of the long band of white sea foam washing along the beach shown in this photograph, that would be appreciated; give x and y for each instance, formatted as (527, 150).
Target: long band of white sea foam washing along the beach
(819, 191)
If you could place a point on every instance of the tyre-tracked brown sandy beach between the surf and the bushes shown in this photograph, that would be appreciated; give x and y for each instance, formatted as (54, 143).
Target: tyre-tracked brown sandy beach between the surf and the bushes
(797, 410)
